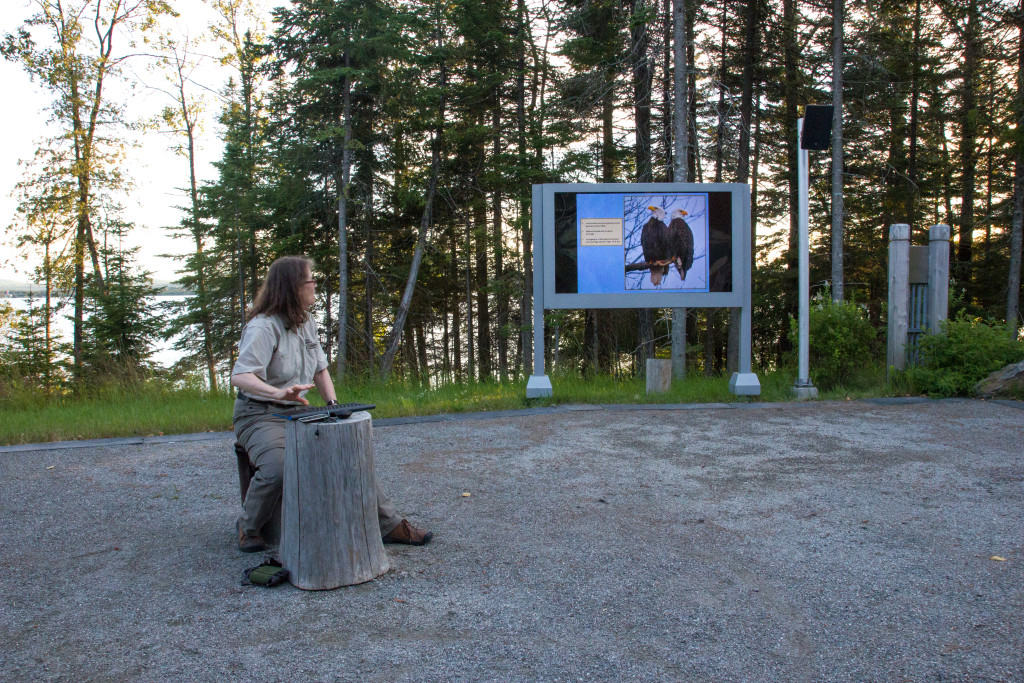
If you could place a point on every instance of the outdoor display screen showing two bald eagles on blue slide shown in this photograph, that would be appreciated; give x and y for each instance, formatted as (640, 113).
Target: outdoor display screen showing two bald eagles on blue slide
(626, 242)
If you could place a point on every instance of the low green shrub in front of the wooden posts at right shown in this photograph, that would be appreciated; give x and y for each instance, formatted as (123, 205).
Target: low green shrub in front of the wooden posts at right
(952, 363)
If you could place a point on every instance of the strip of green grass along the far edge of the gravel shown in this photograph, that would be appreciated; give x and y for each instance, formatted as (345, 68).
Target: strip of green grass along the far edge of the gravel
(155, 409)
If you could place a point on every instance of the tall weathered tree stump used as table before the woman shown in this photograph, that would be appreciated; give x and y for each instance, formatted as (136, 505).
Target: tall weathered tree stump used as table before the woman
(330, 533)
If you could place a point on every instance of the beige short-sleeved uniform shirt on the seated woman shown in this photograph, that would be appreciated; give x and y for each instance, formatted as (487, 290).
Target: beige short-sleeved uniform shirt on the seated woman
(279, 357)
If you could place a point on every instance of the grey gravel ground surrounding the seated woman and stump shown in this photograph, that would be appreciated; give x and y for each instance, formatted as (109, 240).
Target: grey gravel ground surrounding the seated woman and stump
(817, 542)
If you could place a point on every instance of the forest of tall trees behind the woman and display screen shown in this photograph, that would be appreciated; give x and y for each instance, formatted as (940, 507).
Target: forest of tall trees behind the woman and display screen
(397, 143)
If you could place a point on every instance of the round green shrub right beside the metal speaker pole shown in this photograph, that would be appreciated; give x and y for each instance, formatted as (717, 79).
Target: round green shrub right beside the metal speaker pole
(842, 340)
